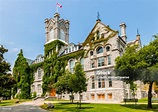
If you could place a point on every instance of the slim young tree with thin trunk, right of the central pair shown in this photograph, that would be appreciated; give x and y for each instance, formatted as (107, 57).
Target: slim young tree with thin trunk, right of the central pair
(80, 84)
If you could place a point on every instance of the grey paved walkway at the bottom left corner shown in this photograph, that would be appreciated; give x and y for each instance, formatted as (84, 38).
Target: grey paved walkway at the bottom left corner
(31, 106)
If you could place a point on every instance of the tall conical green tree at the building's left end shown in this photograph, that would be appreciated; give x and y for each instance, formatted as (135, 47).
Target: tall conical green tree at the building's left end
(22, 75)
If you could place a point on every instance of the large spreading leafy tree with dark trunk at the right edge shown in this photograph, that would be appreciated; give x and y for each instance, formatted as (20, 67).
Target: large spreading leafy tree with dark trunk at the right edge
(140, 65)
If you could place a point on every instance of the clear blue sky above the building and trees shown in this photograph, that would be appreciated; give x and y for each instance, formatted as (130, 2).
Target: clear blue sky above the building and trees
(22, 21)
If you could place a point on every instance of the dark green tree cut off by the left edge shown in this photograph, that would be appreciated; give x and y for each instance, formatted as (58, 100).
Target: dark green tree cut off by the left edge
(6, 79)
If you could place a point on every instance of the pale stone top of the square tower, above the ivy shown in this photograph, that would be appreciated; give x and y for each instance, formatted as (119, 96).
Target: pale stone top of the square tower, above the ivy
(56, 29)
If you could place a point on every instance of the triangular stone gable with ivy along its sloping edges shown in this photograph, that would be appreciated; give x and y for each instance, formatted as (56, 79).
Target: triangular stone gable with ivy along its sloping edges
(100, 32)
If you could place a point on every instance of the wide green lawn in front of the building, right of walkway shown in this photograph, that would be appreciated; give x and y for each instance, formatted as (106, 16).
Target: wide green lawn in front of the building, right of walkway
(87, 107)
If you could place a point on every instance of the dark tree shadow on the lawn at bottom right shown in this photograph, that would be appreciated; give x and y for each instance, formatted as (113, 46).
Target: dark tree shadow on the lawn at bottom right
(142, 107)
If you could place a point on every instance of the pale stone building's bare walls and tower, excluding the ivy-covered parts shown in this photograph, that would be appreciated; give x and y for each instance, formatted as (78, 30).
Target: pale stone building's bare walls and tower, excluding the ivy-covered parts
(101, 47)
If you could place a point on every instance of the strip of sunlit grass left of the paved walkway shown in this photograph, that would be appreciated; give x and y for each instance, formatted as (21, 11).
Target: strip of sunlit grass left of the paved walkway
(12, 102)
